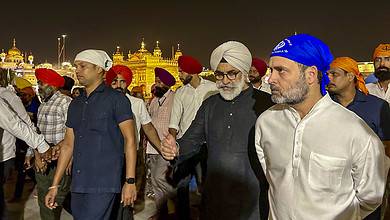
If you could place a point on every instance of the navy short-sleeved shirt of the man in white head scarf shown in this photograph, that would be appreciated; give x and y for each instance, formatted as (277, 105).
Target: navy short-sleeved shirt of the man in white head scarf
(98, 152)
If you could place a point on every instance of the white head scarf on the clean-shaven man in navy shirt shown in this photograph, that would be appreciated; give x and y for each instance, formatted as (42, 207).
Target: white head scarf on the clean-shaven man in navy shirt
(97, 57)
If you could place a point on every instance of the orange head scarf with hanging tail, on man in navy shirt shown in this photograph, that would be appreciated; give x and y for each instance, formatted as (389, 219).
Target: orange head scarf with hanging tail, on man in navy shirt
(350, 65)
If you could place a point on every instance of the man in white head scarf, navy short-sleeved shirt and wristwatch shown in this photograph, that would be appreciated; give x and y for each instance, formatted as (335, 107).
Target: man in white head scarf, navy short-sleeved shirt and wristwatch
(100, 137)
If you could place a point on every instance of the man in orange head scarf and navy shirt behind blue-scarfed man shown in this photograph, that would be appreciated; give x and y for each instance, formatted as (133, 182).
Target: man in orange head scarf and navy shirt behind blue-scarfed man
(348, 89)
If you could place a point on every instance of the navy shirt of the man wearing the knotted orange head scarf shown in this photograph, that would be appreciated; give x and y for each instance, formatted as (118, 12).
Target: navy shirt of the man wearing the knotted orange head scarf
(374, 111)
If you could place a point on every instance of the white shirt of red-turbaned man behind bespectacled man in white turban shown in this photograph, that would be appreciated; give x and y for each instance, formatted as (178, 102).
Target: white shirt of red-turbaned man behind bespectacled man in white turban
(186, 103)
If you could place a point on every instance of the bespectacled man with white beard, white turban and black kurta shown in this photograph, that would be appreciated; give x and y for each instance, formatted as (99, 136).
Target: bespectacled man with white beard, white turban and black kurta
(235, 187)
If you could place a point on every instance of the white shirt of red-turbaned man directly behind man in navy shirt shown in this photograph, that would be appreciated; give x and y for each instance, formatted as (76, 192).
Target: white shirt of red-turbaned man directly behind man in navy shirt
(140, 113)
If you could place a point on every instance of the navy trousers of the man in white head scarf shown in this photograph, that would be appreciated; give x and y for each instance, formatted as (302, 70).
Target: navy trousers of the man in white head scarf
(92, 206)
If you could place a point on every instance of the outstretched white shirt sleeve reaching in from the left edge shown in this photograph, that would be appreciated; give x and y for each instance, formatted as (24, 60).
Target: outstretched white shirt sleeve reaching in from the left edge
(10, 122)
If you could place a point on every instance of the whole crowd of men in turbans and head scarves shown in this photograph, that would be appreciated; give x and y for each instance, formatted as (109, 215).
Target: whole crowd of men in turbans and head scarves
(308, 140)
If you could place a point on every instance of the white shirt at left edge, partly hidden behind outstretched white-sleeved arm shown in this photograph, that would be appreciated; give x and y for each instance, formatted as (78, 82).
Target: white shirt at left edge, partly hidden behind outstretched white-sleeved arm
(8, 140)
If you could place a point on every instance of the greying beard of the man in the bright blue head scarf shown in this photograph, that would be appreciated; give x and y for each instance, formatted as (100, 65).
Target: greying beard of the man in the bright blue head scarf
(295, 94)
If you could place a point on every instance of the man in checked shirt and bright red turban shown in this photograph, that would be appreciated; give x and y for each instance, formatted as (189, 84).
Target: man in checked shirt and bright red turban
(52, 115)
